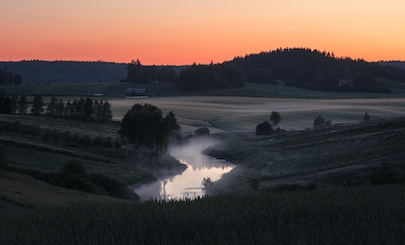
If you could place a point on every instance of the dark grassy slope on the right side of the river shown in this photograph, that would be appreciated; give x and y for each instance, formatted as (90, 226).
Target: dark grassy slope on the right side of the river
(369, 153)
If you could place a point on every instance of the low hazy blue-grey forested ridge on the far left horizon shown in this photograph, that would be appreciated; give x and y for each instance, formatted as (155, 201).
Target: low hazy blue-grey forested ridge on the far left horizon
(67, 71)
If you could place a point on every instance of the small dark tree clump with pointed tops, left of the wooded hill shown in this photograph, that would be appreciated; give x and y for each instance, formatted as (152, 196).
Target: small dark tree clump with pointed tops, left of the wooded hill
(138, 73)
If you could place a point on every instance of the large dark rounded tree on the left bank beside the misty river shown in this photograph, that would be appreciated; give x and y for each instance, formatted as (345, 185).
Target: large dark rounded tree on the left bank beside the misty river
(146, 129)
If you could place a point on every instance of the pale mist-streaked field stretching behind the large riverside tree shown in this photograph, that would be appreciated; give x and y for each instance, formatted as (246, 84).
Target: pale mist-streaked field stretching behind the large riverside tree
(242, 114)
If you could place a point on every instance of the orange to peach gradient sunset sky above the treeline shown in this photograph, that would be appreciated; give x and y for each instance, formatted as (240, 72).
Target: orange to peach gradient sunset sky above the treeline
(180, 32)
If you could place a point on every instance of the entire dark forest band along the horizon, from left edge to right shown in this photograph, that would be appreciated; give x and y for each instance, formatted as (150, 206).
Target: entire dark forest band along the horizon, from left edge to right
(294, 65)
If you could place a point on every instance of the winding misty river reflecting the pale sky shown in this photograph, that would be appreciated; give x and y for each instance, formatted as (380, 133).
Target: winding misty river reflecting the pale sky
(187, 184)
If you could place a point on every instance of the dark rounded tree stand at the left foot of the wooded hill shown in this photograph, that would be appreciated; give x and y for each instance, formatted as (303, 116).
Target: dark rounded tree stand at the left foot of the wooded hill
(212, 76)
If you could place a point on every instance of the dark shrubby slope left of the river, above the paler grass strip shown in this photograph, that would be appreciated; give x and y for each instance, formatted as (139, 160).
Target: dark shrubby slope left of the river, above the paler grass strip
(60, 151)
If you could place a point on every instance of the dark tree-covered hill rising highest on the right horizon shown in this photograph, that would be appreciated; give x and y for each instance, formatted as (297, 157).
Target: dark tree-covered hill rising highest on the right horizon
(313, 67)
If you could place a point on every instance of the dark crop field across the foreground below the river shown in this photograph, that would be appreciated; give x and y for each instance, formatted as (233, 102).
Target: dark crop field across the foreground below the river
(366, 215)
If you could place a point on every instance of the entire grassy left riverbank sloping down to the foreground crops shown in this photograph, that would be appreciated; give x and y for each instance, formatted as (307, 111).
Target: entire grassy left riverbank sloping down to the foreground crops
(30, 156)
